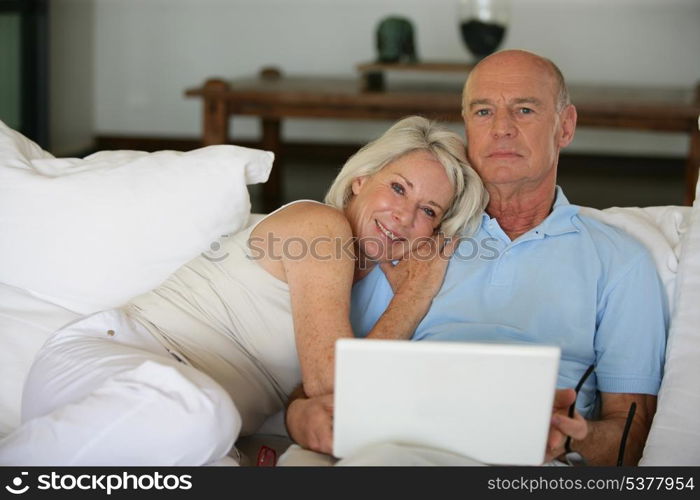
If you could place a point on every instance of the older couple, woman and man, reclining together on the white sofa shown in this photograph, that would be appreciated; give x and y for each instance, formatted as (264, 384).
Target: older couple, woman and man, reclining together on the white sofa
(179, 373)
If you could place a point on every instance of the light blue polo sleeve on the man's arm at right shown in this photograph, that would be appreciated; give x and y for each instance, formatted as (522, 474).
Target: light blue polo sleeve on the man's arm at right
(632, 321)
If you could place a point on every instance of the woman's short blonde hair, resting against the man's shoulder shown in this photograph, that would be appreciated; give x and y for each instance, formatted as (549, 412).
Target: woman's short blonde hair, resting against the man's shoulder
(416, 133)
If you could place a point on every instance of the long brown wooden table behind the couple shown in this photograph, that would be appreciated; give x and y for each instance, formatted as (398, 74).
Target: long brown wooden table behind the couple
(273, 97)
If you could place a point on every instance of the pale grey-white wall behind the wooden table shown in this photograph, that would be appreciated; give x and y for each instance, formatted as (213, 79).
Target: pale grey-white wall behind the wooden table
(147, 52)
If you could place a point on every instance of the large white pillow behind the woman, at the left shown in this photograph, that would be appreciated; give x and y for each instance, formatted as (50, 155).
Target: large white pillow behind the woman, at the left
(89, 234)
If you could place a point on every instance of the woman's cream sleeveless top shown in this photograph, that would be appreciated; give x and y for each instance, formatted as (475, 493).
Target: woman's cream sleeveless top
(231, 319)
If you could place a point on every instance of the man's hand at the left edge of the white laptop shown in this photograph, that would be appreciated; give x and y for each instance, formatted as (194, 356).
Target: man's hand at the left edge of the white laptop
(310, 423)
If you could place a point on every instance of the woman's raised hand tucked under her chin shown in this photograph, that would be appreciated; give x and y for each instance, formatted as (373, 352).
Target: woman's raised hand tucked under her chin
(421, 273)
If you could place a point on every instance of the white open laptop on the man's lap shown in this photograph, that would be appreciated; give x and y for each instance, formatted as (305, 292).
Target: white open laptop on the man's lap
(489, 402)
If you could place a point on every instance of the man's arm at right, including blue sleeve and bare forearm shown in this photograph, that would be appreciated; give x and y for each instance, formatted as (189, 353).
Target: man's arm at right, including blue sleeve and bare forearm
(630, 343)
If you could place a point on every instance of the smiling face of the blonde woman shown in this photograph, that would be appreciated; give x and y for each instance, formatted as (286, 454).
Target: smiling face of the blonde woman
(399, 206)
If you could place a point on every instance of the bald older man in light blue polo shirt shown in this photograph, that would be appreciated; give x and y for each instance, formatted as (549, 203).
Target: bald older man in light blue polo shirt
(552, 276)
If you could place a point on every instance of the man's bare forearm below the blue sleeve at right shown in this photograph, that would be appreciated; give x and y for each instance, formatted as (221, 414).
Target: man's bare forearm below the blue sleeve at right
(602, 445)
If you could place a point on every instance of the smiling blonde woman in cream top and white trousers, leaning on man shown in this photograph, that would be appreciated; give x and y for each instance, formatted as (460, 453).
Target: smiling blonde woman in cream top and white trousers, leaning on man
(174, 377)
